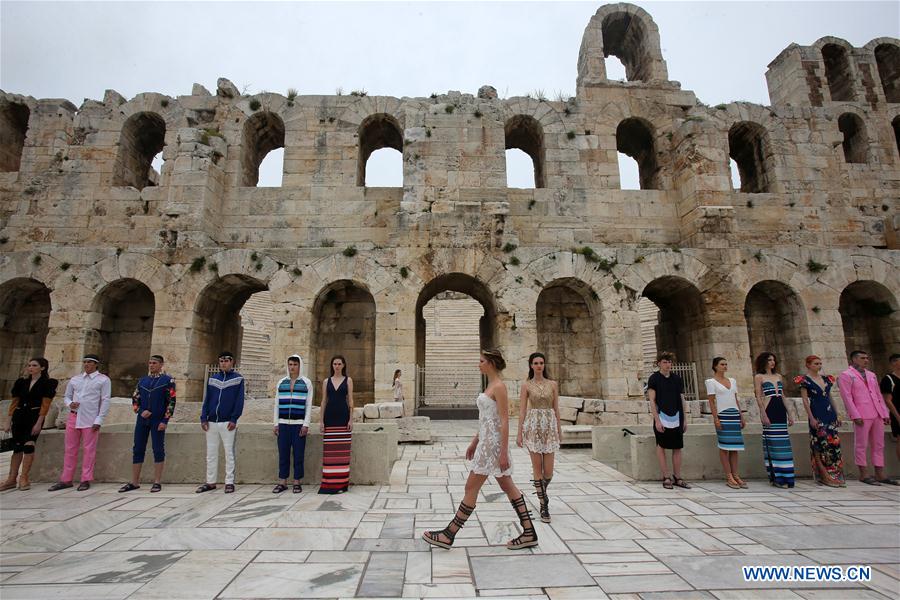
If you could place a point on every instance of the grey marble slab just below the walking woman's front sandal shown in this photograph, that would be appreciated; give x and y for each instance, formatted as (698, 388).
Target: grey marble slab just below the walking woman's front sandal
(493, 572)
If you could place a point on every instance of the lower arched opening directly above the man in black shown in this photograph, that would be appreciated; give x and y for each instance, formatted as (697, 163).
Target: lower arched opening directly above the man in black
(680, 324)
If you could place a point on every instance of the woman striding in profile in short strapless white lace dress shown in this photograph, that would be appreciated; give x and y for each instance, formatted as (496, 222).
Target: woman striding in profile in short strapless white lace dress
(489, 453)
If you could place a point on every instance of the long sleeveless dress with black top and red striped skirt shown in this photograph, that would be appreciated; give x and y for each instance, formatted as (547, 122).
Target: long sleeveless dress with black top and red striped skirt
(336, 441)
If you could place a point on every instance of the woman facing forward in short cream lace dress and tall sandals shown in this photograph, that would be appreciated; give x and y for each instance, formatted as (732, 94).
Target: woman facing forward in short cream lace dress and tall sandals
(539, 426)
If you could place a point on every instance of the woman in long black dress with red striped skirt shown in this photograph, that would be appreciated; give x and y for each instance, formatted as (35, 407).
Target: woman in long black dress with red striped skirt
(337, 424)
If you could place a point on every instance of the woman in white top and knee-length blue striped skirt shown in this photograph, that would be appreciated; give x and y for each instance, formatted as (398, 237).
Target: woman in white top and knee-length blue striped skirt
(722, 395)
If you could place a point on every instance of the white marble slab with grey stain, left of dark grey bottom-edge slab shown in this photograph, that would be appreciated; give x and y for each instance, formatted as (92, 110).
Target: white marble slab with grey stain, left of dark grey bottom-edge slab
(272, 580)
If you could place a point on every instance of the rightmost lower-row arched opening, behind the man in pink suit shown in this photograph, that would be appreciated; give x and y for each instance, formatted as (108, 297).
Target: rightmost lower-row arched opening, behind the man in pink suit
(871, 321)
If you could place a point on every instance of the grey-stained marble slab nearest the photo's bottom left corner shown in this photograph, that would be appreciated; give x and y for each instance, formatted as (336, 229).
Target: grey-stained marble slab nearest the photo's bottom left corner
(100, 567)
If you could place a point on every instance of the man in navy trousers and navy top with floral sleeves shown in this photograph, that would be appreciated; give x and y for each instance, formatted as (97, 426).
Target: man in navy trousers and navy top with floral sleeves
(154, 404)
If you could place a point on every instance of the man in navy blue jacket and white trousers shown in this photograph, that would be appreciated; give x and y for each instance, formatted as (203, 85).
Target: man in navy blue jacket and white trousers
(223, 404)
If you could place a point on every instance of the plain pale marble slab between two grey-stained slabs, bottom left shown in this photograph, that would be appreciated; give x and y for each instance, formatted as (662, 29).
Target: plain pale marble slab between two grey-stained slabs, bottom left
(200, 575)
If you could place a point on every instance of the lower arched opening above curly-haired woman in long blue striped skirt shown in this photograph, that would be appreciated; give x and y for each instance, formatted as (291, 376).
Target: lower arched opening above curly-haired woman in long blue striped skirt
(776, 322)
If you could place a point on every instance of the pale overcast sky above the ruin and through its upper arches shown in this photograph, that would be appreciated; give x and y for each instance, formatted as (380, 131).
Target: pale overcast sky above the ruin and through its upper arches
(76, 50)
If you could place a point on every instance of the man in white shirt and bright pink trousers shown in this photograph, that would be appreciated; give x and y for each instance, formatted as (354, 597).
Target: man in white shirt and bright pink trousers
(88, 401)
